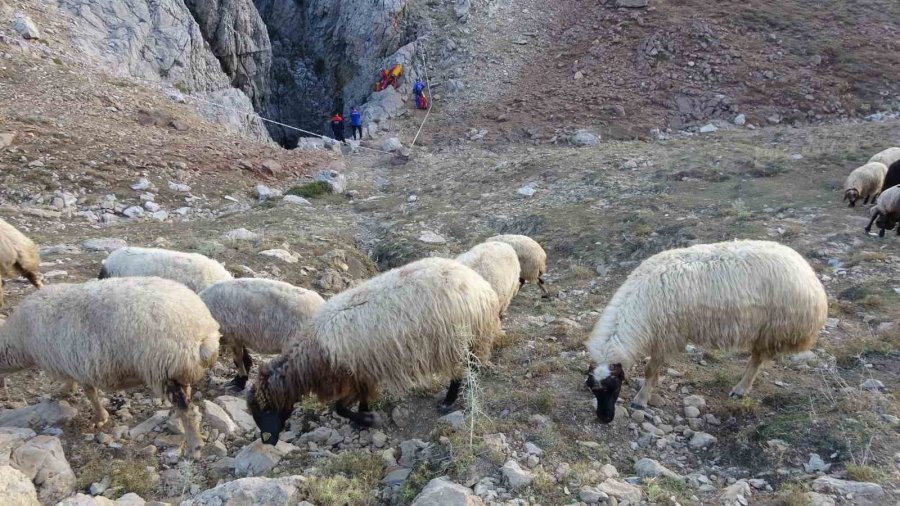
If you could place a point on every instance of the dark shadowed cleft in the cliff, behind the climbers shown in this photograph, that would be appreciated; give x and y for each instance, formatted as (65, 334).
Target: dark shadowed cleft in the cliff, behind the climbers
(326, 55)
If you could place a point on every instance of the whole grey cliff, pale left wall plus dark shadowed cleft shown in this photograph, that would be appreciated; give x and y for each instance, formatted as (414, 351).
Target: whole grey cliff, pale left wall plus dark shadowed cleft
(295, 62)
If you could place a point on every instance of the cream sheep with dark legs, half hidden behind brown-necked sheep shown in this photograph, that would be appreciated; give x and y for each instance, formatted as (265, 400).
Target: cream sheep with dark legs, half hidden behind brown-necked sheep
(260, 314)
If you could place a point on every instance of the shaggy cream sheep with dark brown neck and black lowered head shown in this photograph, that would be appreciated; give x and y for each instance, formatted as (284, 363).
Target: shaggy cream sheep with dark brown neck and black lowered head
(395, 331)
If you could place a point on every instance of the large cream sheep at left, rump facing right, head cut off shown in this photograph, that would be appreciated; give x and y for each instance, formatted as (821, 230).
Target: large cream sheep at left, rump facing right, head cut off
(115, 334)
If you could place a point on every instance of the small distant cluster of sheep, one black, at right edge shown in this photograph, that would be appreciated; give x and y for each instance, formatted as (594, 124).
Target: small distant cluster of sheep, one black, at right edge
(878, 181)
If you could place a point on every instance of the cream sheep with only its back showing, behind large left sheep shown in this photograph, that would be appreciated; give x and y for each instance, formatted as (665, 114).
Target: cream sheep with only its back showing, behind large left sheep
(190, 269)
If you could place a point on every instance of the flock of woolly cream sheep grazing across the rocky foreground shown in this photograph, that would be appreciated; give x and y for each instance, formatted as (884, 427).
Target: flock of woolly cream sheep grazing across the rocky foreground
(156, 318)
